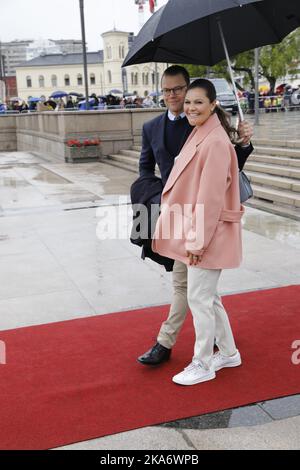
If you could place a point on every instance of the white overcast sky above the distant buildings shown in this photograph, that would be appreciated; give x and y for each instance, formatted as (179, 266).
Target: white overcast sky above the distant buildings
(59, 19)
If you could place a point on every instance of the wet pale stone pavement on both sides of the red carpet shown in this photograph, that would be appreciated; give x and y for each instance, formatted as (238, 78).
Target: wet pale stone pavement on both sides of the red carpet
(53, 267)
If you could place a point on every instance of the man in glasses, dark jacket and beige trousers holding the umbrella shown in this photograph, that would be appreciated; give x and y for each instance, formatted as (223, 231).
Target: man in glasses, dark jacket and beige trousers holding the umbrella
(163, 138)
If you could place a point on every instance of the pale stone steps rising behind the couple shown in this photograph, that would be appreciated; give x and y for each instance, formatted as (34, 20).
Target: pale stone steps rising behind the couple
(273, 169)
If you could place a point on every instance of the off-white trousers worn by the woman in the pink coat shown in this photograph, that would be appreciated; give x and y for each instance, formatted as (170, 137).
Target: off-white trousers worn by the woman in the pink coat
(209, 315)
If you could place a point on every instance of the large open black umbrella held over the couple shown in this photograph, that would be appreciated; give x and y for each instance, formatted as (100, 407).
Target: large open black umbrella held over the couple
(194, 31)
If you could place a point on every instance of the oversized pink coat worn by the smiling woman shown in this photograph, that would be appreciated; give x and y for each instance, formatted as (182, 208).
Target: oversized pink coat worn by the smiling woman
(205, 181)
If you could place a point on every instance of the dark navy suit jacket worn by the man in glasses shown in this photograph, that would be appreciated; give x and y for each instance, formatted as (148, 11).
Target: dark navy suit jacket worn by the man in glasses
(154, 148)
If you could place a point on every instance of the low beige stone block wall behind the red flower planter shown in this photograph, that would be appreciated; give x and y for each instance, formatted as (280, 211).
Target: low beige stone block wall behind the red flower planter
(47, 132)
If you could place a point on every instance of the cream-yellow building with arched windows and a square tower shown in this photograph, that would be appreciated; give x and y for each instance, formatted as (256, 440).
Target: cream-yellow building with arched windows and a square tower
(50, 72)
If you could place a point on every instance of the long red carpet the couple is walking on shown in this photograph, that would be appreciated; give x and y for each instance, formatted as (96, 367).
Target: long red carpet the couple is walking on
(77, 380)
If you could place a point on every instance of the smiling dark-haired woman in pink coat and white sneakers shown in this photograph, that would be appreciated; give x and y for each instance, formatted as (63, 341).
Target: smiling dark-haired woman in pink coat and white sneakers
(200, 226)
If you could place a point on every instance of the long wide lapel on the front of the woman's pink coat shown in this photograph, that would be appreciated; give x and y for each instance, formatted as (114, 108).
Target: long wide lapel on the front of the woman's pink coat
(190, 148)
